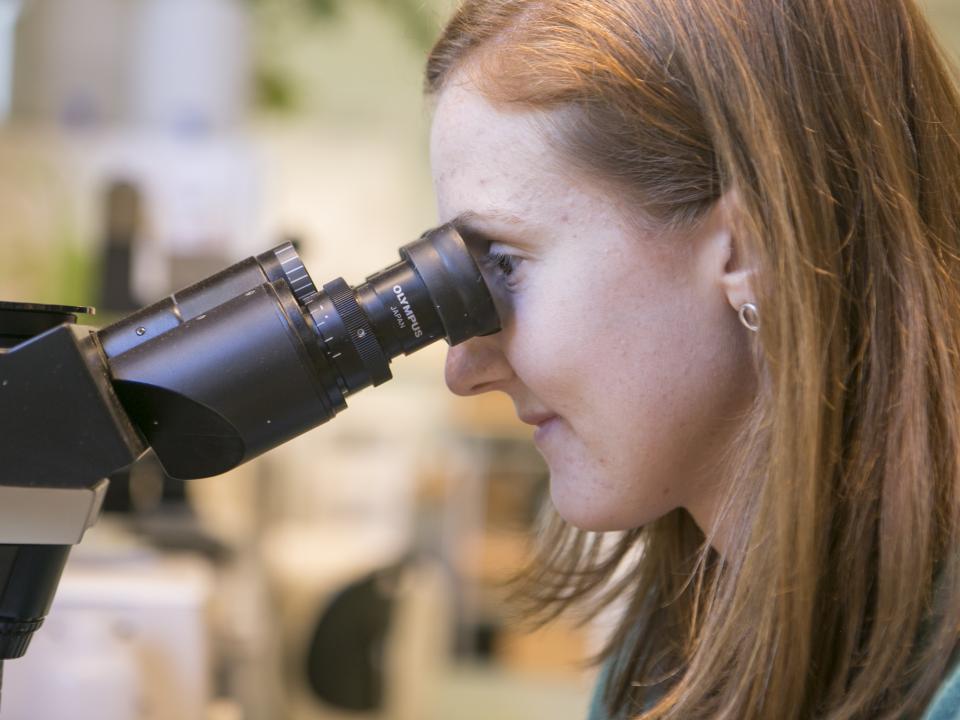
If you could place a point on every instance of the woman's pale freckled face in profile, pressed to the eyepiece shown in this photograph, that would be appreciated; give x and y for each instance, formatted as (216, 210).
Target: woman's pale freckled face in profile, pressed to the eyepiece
(619, 344)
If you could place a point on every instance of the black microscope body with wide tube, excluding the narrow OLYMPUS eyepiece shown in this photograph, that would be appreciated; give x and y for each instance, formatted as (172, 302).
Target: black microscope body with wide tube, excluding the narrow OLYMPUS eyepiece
(208, 378)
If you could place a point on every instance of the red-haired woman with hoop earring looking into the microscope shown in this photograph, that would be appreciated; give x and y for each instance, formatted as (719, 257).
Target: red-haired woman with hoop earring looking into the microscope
(723, 238)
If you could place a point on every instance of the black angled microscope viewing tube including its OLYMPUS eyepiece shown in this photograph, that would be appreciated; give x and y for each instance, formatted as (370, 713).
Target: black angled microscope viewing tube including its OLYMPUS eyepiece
(257, 354)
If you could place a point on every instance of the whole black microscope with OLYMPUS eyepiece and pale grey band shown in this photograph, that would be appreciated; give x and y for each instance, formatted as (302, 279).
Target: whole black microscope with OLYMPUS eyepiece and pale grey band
(208, 378)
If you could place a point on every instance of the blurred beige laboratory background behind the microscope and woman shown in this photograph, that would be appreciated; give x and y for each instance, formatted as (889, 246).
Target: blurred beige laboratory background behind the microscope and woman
(356, 572)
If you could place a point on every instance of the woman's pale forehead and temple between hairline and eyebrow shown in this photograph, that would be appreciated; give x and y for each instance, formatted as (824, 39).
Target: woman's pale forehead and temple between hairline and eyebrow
(505, 168)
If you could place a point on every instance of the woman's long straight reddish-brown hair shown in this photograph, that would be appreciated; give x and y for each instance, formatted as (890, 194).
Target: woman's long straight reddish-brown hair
(837, 124)
